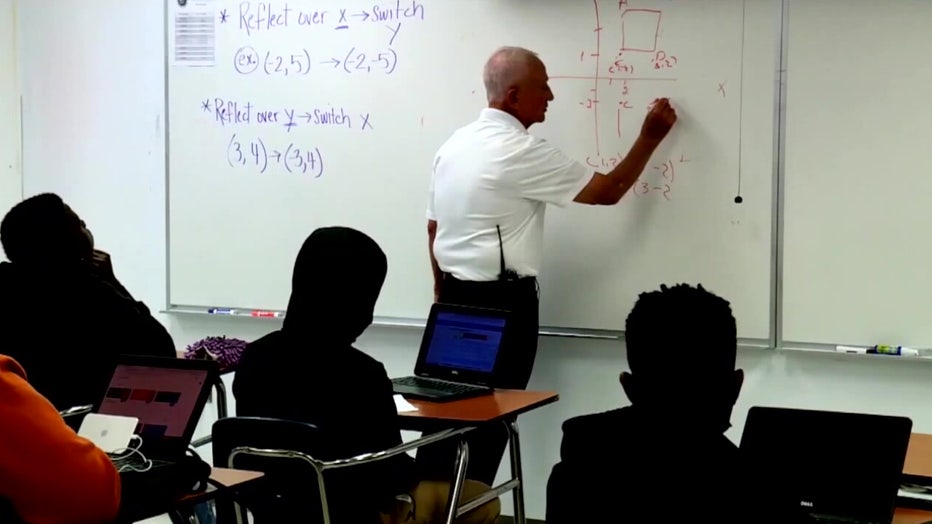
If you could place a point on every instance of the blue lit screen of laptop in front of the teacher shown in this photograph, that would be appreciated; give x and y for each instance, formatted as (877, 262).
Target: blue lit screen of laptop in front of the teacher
(465, 342)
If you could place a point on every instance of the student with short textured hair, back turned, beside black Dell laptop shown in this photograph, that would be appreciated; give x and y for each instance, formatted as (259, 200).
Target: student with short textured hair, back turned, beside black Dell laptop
(668, 448)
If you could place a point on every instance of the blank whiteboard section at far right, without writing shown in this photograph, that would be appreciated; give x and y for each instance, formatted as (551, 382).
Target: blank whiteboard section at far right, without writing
(857, 256)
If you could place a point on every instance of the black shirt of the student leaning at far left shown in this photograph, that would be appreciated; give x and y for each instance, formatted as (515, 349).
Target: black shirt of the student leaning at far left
(68, 327)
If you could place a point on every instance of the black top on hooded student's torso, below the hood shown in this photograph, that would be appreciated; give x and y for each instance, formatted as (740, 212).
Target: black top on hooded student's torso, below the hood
(348, 396)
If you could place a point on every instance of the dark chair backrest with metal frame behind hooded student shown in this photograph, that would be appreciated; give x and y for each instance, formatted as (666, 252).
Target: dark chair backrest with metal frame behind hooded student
(289, 491)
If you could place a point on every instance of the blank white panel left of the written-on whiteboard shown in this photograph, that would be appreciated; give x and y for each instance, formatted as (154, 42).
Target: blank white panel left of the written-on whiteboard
(94, 125)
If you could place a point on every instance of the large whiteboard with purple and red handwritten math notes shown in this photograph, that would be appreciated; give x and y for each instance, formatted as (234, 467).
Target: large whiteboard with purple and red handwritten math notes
(281, 122)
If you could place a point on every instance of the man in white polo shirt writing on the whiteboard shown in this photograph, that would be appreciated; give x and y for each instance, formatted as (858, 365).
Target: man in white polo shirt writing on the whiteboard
(488, 192)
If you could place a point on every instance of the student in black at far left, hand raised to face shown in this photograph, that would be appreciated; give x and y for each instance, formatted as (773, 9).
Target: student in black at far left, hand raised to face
(64, 315)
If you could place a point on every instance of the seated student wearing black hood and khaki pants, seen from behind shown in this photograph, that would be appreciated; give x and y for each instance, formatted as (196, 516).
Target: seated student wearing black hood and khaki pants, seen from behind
(292, 374)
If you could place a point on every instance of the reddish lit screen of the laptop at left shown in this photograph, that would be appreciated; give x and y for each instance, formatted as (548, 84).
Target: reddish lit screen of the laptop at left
(164, 399)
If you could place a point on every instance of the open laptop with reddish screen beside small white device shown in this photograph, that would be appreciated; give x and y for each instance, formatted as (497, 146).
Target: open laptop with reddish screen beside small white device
(166, 395)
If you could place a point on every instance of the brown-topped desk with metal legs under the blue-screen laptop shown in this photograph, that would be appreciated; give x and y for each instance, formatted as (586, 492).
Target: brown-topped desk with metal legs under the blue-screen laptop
(503, 406)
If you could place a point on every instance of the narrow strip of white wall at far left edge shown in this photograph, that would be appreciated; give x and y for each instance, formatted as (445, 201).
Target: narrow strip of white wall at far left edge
(10, 172)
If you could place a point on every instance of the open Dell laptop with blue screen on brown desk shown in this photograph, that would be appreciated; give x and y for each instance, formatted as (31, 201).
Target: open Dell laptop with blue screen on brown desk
(459, 352)
